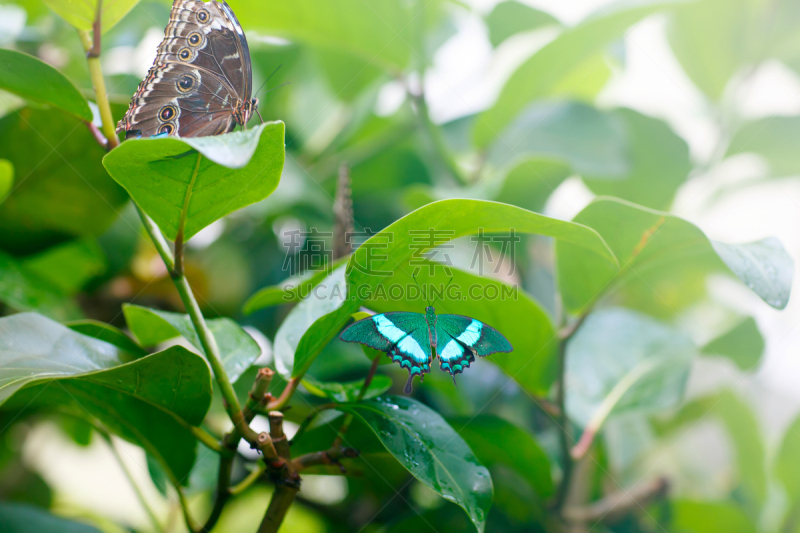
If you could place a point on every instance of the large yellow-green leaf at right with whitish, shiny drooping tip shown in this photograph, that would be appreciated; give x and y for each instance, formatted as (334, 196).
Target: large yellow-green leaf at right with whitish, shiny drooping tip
(662, 257)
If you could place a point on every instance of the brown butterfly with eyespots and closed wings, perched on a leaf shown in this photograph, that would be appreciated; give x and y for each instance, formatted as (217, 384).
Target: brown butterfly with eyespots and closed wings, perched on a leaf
(201, 81)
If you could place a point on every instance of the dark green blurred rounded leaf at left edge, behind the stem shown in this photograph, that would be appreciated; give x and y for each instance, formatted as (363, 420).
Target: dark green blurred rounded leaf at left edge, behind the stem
(66, 191)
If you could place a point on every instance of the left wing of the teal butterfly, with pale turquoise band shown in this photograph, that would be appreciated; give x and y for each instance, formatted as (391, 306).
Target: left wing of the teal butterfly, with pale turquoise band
(403, 336)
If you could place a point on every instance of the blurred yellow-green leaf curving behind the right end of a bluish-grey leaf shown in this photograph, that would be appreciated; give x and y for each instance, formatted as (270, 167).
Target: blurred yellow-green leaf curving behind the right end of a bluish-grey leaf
(658, 162)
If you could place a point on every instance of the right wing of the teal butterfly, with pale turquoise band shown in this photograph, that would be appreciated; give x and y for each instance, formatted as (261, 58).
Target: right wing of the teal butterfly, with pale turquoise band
(461, 338)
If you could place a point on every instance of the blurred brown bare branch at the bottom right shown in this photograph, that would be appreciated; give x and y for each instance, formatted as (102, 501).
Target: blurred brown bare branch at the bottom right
(616, 506)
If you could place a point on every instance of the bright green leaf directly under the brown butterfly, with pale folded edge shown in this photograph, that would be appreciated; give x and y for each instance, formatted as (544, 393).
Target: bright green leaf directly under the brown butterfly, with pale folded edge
(191, 182)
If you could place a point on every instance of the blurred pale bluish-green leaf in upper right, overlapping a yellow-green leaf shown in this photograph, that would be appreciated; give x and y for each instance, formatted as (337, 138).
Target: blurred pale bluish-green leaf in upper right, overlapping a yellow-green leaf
(591, 142)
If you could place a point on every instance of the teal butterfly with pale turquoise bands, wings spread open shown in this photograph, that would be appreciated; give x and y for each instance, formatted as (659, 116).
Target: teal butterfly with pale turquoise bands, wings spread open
(413, 340)
